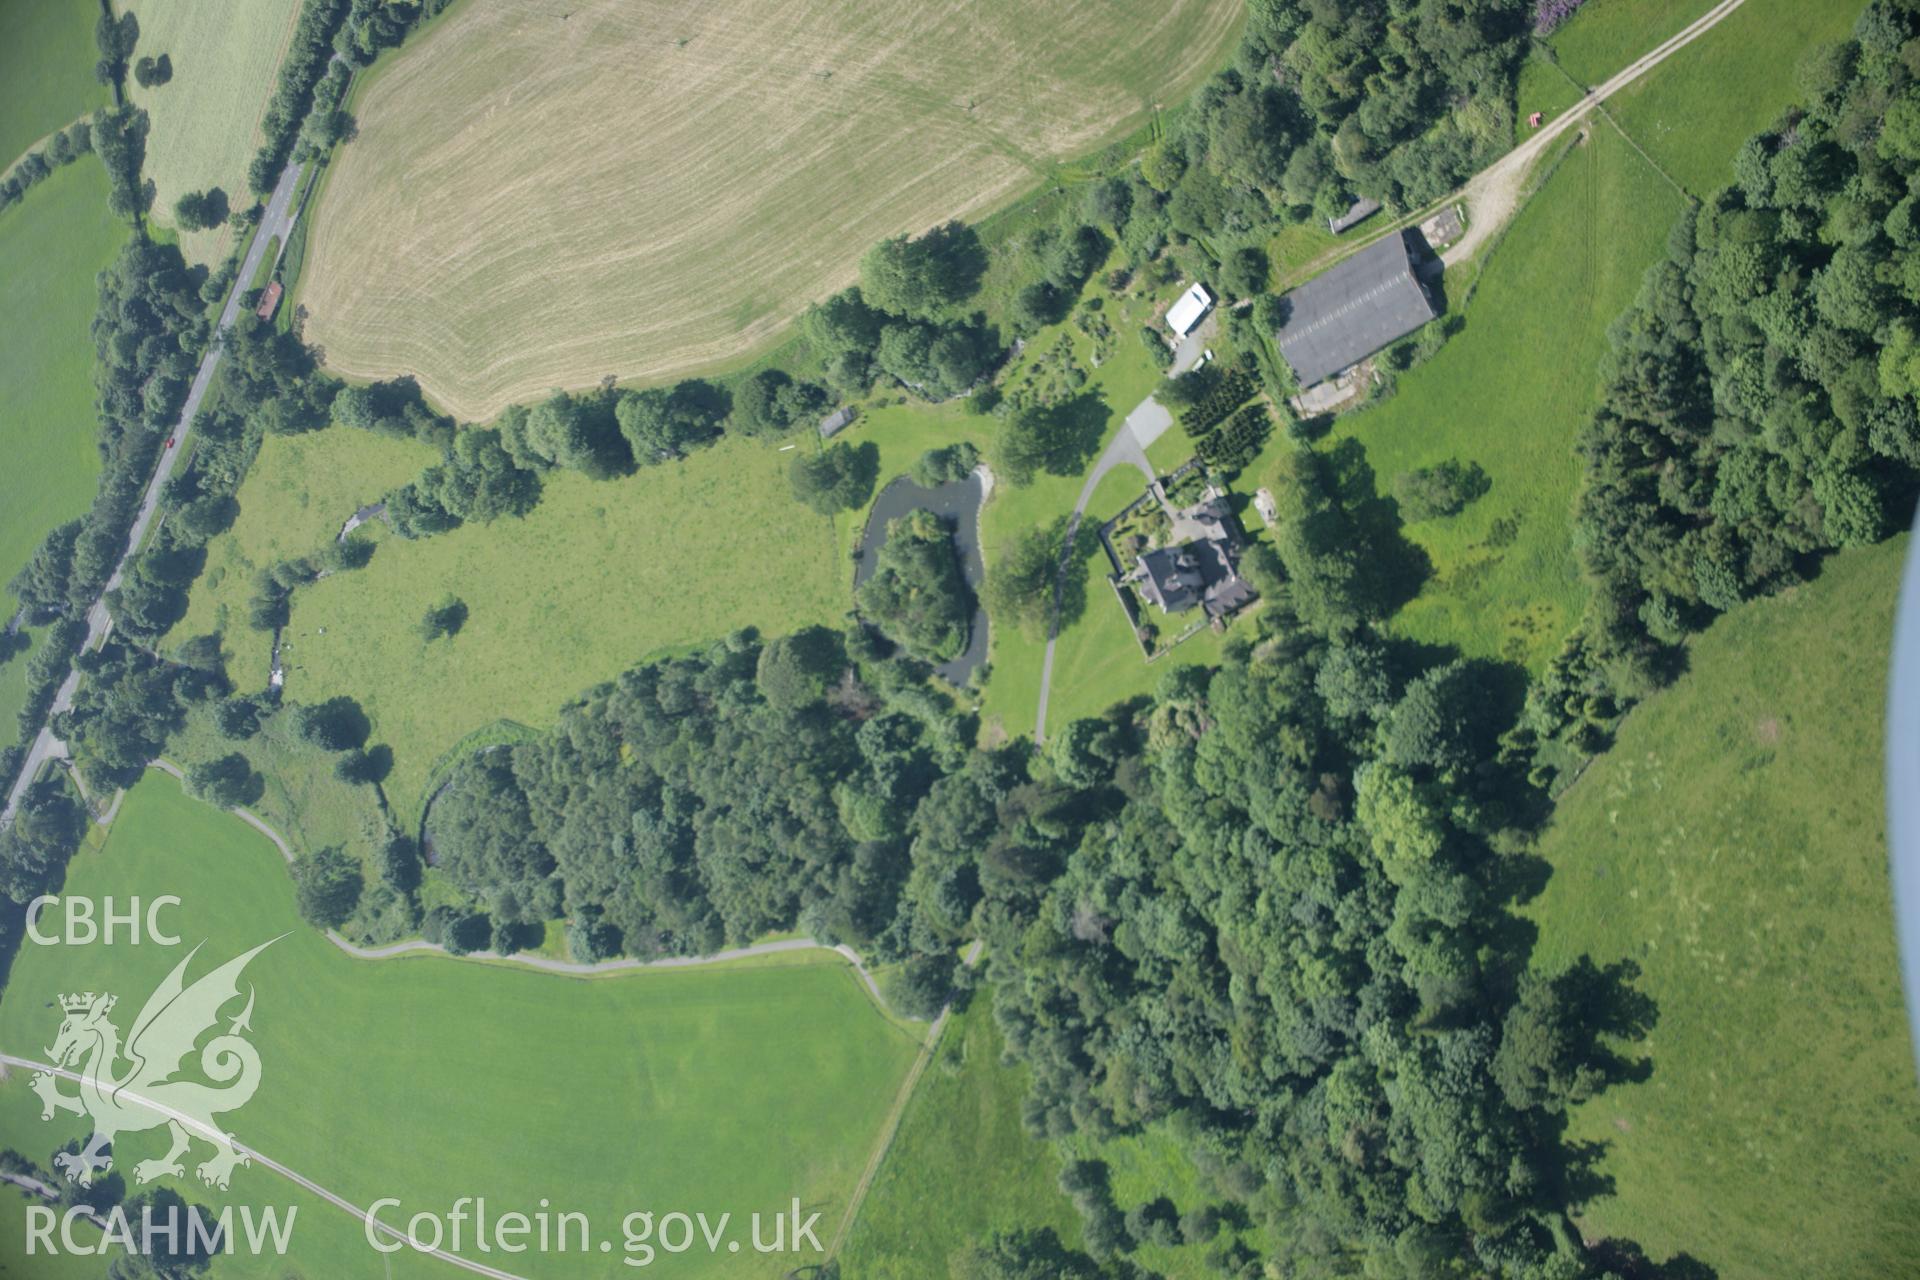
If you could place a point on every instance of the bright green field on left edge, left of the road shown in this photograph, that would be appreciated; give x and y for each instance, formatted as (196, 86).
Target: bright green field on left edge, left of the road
(51, 250)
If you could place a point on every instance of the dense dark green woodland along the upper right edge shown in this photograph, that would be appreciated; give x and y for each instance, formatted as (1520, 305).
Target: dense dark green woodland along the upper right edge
(1760, 404)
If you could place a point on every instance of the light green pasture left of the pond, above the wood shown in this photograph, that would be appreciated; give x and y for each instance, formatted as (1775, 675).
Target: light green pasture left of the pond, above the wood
(587, 586)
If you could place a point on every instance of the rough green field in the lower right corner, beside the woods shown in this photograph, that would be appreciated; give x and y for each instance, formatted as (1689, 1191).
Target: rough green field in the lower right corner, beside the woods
(1733, 845)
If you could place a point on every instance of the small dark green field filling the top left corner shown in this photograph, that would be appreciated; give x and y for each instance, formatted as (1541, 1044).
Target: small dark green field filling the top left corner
(47, 70)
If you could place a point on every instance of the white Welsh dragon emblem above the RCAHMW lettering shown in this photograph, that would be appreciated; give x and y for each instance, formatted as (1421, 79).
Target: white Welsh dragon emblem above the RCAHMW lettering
(147, 1093)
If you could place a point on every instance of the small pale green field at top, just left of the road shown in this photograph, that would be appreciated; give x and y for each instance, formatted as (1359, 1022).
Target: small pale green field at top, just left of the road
(206, 118)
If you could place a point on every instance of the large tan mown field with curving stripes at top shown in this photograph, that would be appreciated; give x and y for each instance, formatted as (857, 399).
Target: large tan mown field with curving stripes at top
(558, 191)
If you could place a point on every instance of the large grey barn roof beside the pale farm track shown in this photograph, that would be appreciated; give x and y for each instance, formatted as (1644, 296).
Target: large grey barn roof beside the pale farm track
(1349, 314)
